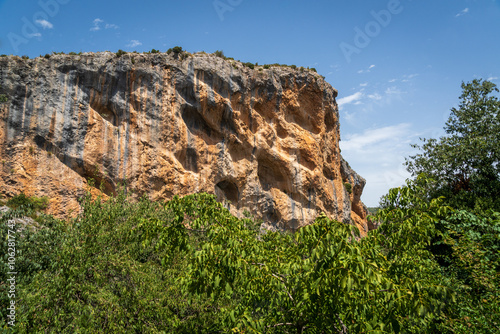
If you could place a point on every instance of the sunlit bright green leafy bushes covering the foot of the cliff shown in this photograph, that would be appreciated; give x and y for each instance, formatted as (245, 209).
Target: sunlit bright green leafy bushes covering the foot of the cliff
(189, 266)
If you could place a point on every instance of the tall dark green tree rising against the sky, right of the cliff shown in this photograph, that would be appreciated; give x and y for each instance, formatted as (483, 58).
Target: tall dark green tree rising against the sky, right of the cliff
(465, 163)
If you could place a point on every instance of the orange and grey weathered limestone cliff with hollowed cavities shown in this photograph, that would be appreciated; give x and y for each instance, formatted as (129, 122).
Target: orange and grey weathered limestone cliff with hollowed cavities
(263, 140)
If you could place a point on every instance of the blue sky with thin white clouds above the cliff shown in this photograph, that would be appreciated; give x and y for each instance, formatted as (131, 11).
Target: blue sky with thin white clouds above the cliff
(398, 65)
